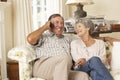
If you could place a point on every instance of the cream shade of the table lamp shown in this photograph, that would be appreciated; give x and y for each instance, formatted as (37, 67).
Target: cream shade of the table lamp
(76, 2)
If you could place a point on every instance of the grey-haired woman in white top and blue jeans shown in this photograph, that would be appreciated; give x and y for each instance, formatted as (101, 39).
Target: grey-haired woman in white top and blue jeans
(88, 53)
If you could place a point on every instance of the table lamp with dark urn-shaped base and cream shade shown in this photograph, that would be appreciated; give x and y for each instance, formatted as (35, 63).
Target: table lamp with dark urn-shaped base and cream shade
(79, 13)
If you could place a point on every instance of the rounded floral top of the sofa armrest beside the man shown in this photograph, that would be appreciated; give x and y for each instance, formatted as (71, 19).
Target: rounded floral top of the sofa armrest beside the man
(23, 53)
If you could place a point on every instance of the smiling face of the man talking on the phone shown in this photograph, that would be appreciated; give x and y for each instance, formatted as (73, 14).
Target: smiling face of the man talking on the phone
(58, 25)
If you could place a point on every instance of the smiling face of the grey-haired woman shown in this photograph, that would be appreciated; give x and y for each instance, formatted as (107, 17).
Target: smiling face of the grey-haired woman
(81, 30)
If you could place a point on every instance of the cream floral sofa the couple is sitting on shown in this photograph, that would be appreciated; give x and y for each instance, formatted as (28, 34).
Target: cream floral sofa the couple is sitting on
(25, 56)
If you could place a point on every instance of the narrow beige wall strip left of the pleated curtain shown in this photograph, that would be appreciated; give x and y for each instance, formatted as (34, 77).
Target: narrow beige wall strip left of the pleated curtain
(8, 28)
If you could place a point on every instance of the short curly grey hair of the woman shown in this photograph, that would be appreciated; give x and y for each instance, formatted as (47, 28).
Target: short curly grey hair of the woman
(88, 24)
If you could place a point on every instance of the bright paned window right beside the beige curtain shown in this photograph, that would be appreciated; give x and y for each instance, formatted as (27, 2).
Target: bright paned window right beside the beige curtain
(39, 12)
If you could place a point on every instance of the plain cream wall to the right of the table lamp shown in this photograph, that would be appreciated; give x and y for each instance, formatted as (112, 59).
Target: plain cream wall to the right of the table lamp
(108, 8)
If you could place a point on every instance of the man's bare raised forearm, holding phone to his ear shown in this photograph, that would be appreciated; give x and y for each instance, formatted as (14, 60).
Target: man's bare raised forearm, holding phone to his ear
(33, 37)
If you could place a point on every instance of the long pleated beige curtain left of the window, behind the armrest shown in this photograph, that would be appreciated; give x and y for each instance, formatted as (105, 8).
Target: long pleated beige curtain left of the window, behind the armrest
(22, 20)
